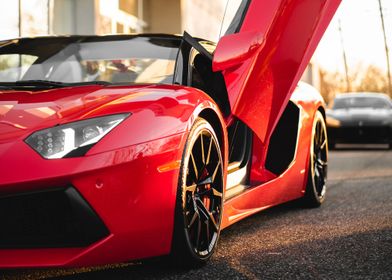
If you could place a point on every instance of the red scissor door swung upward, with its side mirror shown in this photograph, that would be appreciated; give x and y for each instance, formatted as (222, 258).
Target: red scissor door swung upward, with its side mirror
(264, 53)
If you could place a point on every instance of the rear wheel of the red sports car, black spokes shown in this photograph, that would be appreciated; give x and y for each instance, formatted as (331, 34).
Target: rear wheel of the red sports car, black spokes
(318, 164)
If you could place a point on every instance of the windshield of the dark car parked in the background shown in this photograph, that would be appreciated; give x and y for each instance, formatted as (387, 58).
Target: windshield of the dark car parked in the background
(361, 102)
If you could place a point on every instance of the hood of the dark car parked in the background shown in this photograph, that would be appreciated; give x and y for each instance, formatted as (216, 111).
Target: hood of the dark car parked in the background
(361, 114)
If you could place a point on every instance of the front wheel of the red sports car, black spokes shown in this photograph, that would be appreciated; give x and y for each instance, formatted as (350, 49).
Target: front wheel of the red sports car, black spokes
(199, 200)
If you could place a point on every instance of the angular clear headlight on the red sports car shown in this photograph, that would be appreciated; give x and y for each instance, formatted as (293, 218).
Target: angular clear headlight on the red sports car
(72, 139)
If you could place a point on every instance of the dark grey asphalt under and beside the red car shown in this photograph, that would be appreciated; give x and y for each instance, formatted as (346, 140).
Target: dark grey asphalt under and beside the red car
(349, 237)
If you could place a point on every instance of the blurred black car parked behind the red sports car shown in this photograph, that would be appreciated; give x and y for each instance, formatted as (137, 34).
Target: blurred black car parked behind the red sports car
(360, 118)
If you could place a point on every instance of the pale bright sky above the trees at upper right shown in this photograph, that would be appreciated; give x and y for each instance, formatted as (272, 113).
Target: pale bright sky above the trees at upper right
(362, 36)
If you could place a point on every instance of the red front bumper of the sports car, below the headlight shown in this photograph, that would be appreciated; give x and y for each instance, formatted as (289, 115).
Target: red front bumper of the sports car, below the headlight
(129, 199)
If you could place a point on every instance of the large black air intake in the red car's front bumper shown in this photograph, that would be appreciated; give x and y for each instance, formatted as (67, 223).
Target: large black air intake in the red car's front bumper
(48, 219)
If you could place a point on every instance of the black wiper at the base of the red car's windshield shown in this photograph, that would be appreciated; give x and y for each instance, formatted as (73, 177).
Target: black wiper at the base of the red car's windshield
(47, 84)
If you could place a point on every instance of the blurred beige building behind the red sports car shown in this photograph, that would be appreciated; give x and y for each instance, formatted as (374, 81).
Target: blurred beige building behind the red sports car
(200, 18)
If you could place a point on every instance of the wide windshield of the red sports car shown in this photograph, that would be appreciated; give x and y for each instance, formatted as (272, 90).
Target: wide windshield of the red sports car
(88, 59)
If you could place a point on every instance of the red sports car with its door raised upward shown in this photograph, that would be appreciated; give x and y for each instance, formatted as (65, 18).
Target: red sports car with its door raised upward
(115, 148)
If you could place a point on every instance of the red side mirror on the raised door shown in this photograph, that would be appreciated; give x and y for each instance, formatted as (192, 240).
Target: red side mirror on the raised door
(235, 48)
